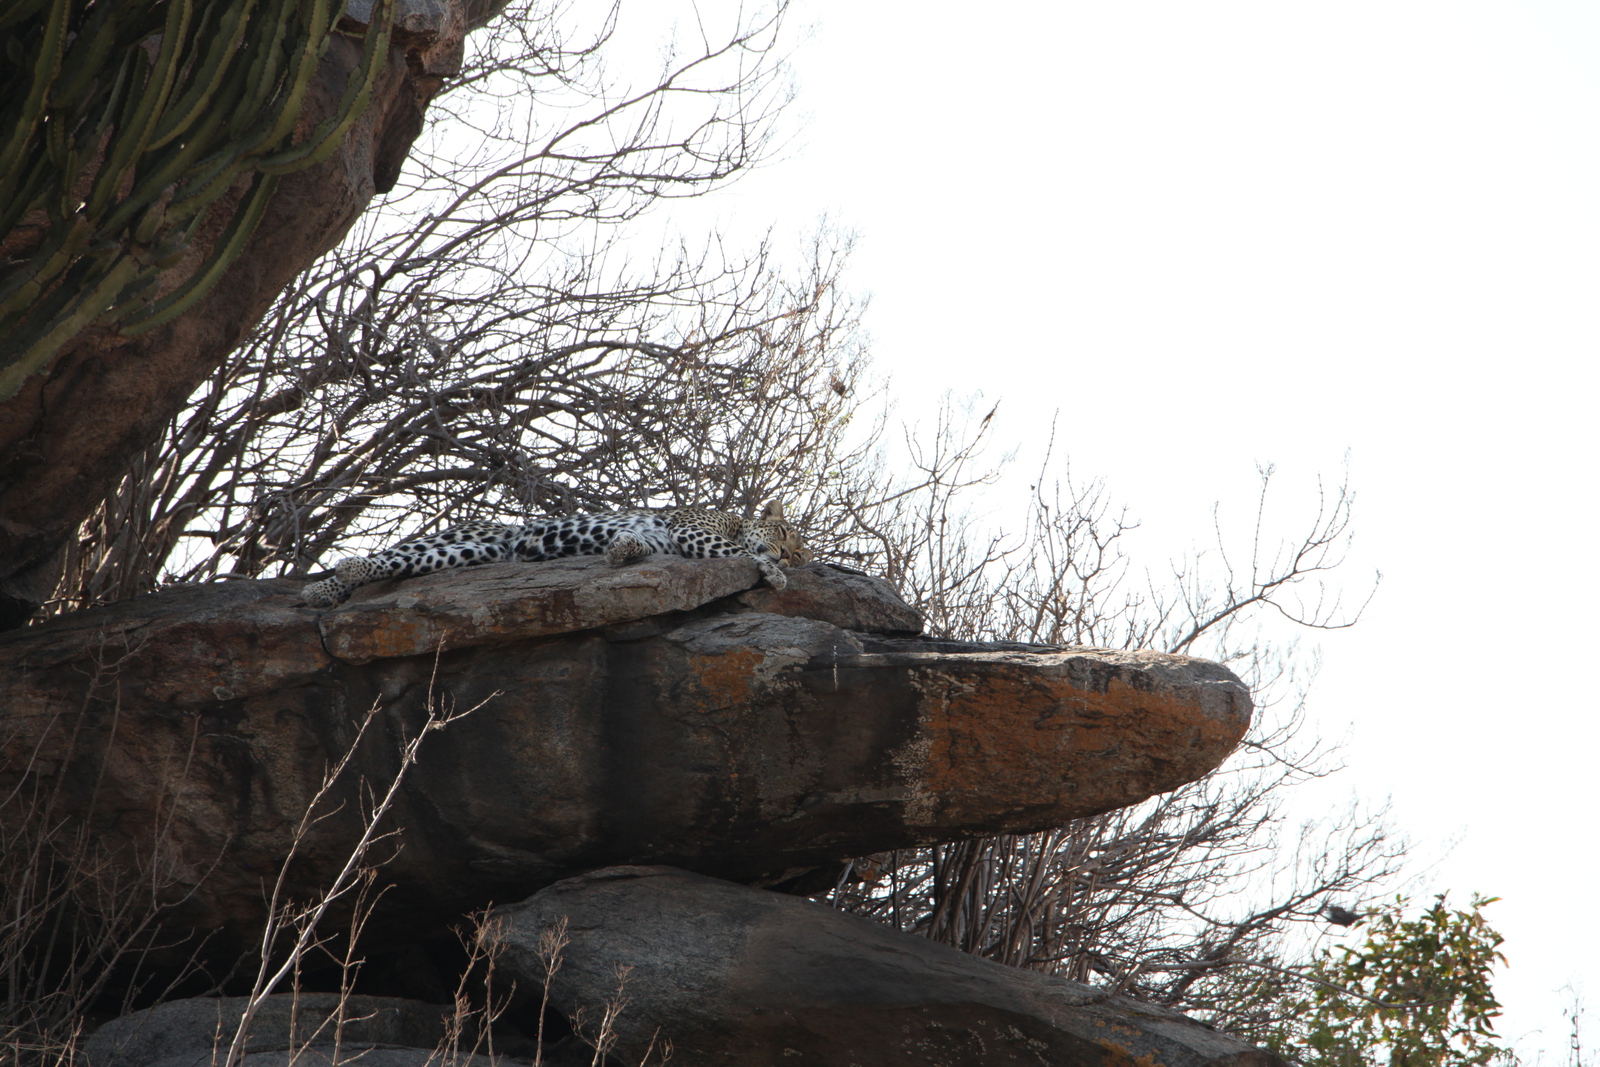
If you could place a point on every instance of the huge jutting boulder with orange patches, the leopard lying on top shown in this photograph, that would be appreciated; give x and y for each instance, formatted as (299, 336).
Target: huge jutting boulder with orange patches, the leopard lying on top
(663, 713)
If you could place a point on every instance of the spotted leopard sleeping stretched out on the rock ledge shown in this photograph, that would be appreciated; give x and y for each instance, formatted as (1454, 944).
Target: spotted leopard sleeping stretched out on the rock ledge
(626, 537)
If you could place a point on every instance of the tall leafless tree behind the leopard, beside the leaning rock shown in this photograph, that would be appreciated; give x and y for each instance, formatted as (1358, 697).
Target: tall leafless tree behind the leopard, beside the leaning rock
(484, 345)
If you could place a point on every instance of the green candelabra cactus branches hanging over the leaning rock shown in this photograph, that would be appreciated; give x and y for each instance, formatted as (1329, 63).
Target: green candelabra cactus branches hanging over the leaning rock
(137, 119)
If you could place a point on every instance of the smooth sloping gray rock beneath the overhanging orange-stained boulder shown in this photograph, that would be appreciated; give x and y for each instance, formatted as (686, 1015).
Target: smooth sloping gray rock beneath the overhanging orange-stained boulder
(748, 977)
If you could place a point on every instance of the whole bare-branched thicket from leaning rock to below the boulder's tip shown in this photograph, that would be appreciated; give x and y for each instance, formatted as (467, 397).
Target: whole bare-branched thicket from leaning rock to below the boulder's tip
(487, 346)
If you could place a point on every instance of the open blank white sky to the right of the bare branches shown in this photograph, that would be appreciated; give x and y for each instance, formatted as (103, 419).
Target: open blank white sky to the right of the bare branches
(1236, 233)
